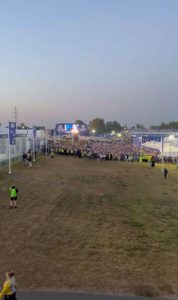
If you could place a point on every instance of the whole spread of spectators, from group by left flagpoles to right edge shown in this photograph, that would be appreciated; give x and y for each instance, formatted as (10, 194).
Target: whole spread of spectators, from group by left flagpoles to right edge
(102, 150)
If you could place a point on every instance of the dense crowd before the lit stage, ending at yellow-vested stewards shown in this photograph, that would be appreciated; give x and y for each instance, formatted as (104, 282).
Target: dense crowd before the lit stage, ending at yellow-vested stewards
(102, 150)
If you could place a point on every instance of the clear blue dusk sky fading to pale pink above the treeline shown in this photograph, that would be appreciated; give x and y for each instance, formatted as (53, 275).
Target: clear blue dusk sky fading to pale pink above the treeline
(62, 60)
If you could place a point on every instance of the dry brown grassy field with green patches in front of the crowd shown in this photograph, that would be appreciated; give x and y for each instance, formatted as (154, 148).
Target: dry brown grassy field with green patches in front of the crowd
(94, 226)
